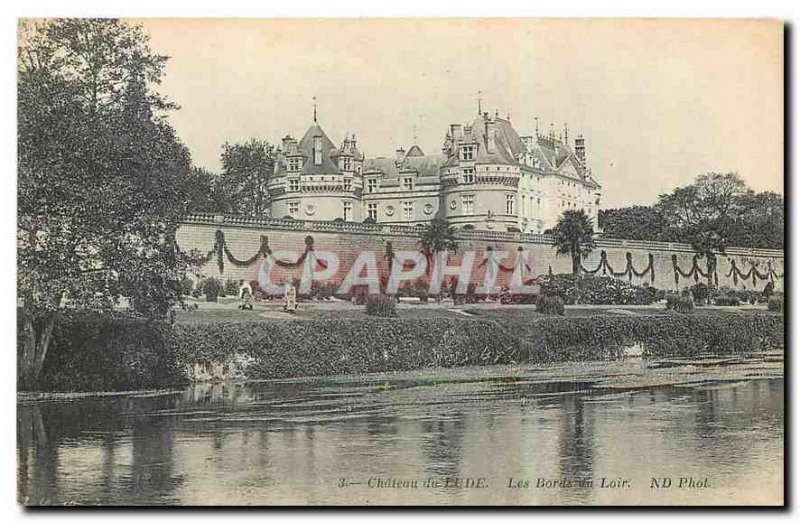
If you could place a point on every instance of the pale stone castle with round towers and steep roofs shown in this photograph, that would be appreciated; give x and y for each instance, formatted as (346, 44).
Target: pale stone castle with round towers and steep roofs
(486, 177)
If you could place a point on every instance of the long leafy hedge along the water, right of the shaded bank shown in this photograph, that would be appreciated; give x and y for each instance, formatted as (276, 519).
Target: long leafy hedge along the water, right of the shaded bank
(283, 349)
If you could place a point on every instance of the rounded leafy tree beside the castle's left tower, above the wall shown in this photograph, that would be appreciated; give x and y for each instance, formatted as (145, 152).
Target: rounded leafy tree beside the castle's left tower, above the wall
(246, 170)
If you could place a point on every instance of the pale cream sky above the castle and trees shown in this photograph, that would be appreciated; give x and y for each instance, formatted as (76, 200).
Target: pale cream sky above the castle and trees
(658, 101)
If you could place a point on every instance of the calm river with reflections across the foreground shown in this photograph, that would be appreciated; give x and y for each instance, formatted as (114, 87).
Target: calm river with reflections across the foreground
(668, 431)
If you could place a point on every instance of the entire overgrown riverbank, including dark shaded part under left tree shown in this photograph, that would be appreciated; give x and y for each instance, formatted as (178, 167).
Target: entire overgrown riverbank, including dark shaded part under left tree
(94, 354)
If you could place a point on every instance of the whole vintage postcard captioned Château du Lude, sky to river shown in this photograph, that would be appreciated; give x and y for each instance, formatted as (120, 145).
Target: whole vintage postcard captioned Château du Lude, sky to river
(393, 262)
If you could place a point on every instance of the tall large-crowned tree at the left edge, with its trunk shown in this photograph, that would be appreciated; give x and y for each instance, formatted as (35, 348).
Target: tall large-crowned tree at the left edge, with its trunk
(100, 177)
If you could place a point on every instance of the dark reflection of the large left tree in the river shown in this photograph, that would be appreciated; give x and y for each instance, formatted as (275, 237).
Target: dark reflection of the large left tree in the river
(46, 427)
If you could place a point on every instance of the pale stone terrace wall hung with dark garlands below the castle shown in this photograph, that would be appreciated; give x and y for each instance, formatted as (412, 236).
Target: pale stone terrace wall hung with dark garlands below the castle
(243, 239)
